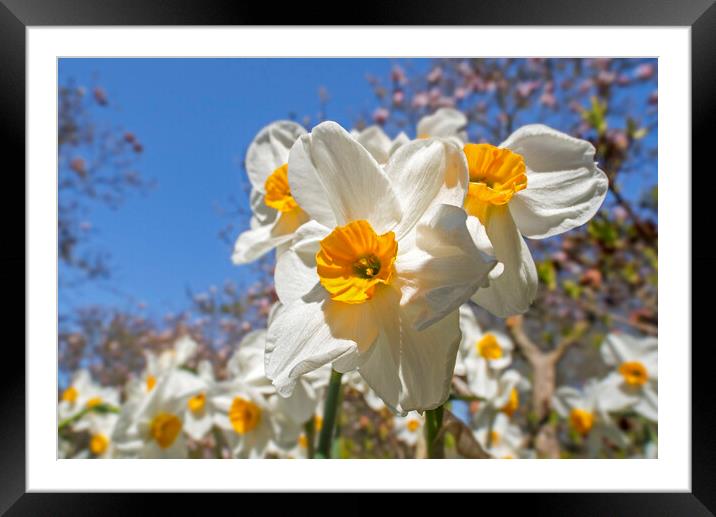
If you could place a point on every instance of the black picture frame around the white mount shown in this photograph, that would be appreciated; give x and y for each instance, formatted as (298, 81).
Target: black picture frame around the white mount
(699, 15)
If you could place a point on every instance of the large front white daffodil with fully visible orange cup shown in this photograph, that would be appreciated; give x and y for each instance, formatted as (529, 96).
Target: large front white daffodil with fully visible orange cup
(375, 279)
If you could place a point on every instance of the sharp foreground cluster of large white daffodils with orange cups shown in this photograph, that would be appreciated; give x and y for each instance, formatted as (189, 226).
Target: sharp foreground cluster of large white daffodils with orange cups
(379, 242)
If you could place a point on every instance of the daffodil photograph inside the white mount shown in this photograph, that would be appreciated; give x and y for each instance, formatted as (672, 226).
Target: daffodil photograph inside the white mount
(357, 258)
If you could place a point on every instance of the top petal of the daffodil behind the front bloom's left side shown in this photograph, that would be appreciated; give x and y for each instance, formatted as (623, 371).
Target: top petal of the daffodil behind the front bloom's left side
(269, 150)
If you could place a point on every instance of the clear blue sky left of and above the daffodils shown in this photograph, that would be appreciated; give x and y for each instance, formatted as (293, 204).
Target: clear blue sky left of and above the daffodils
(195, 119)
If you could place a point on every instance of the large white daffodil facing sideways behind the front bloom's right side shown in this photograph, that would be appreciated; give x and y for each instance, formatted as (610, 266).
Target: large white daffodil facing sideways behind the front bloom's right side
(538, 183)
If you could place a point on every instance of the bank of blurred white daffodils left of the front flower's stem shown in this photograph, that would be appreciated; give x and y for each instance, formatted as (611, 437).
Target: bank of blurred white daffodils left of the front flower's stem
(156, 412)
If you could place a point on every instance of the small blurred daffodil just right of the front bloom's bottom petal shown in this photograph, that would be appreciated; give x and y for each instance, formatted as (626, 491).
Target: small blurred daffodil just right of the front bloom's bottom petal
(482, 354)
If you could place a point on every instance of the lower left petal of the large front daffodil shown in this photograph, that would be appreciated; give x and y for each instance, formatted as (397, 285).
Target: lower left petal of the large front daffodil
(311, 332)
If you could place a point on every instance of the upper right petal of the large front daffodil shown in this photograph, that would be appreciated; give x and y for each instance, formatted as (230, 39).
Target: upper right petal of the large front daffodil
(425, 174)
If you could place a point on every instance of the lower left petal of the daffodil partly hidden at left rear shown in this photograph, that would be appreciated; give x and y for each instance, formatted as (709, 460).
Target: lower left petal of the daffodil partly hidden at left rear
(254, 243)
